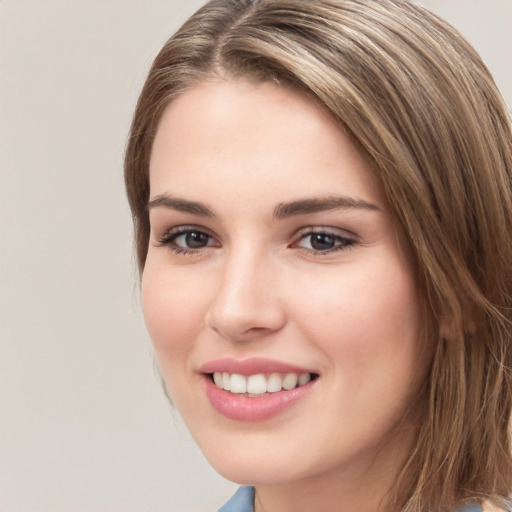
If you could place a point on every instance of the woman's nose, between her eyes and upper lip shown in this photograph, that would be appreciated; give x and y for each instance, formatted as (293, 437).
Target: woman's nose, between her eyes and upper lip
(246, 304)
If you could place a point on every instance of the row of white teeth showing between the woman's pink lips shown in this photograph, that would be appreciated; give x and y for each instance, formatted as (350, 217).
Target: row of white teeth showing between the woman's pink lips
(259, 384)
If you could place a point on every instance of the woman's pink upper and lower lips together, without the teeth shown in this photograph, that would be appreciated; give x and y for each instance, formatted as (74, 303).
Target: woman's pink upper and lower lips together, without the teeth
(240, 407)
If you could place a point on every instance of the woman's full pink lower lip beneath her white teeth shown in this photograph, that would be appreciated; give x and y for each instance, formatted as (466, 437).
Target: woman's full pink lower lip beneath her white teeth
(259, 408)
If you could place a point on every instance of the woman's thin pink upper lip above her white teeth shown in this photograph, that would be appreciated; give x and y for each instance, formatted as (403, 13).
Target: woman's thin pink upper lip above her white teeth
(251, 366)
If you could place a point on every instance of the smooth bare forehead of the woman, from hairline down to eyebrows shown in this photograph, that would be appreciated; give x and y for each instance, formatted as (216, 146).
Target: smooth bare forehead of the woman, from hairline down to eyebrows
(236, 133)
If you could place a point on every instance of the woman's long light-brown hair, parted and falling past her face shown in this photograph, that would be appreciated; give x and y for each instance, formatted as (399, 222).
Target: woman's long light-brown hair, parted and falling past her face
(424, 111)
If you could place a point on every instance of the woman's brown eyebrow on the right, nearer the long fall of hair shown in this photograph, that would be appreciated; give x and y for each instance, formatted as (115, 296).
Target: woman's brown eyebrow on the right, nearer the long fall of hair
(314, 205)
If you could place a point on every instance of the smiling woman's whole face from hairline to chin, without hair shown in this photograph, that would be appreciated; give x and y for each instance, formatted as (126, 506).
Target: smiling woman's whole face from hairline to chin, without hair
(274, 269)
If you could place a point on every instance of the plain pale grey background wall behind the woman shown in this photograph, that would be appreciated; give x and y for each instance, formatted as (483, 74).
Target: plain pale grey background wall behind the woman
(84, 425)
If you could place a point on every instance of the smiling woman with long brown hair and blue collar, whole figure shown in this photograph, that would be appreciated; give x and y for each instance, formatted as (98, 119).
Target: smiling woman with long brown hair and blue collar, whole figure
(322, 201)
